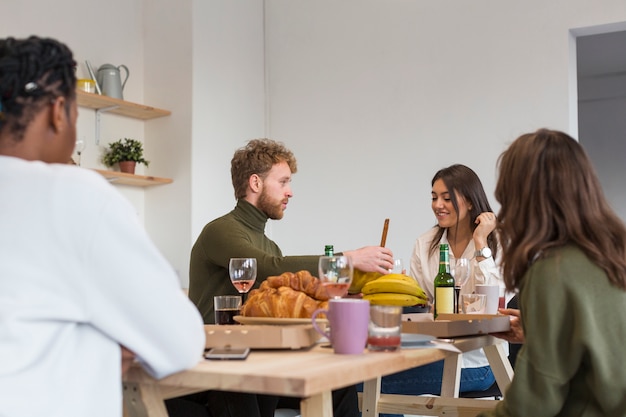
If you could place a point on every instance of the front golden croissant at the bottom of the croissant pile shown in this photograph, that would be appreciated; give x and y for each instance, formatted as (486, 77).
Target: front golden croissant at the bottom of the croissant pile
(282, 302)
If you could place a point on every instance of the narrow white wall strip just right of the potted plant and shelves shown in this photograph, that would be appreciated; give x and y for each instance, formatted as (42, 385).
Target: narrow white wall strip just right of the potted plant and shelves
(168, 84)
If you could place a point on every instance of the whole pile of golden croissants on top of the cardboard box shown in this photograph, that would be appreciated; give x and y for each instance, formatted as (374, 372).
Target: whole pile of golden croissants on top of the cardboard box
(289, 295)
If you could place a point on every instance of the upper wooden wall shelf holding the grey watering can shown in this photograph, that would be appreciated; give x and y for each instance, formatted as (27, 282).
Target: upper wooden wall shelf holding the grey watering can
(120, 107)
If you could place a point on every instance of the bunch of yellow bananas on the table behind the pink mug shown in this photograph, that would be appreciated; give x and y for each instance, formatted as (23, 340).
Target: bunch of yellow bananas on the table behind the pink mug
(394, 289)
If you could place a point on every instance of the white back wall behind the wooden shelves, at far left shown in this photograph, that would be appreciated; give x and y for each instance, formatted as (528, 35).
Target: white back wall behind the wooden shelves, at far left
(94, 39)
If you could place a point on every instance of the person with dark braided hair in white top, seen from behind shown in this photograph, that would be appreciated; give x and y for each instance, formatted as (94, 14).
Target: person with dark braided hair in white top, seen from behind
(74, 260)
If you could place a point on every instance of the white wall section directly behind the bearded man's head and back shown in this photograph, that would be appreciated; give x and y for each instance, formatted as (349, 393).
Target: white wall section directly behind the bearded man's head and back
(228, 98)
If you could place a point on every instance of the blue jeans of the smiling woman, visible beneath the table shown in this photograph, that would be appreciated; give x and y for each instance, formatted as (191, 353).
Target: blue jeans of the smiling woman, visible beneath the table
(426, 379)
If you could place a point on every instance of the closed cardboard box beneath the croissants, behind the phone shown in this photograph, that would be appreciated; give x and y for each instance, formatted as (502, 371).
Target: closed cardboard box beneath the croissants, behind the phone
(261, 336)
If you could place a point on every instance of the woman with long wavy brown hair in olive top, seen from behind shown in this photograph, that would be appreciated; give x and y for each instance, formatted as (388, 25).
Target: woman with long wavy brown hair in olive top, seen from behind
(564, 250)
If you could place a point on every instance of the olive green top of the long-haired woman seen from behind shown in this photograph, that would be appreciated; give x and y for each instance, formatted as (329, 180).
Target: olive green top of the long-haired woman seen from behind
(572, 363)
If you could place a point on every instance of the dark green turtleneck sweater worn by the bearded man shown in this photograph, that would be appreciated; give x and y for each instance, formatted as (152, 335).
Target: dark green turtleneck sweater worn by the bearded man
(238, 234)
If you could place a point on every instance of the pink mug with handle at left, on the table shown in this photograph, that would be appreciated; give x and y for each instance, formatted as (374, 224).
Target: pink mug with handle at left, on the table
(348, 319)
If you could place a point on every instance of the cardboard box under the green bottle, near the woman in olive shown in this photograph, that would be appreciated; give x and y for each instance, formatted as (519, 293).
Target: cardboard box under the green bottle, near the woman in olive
(453, 325)
